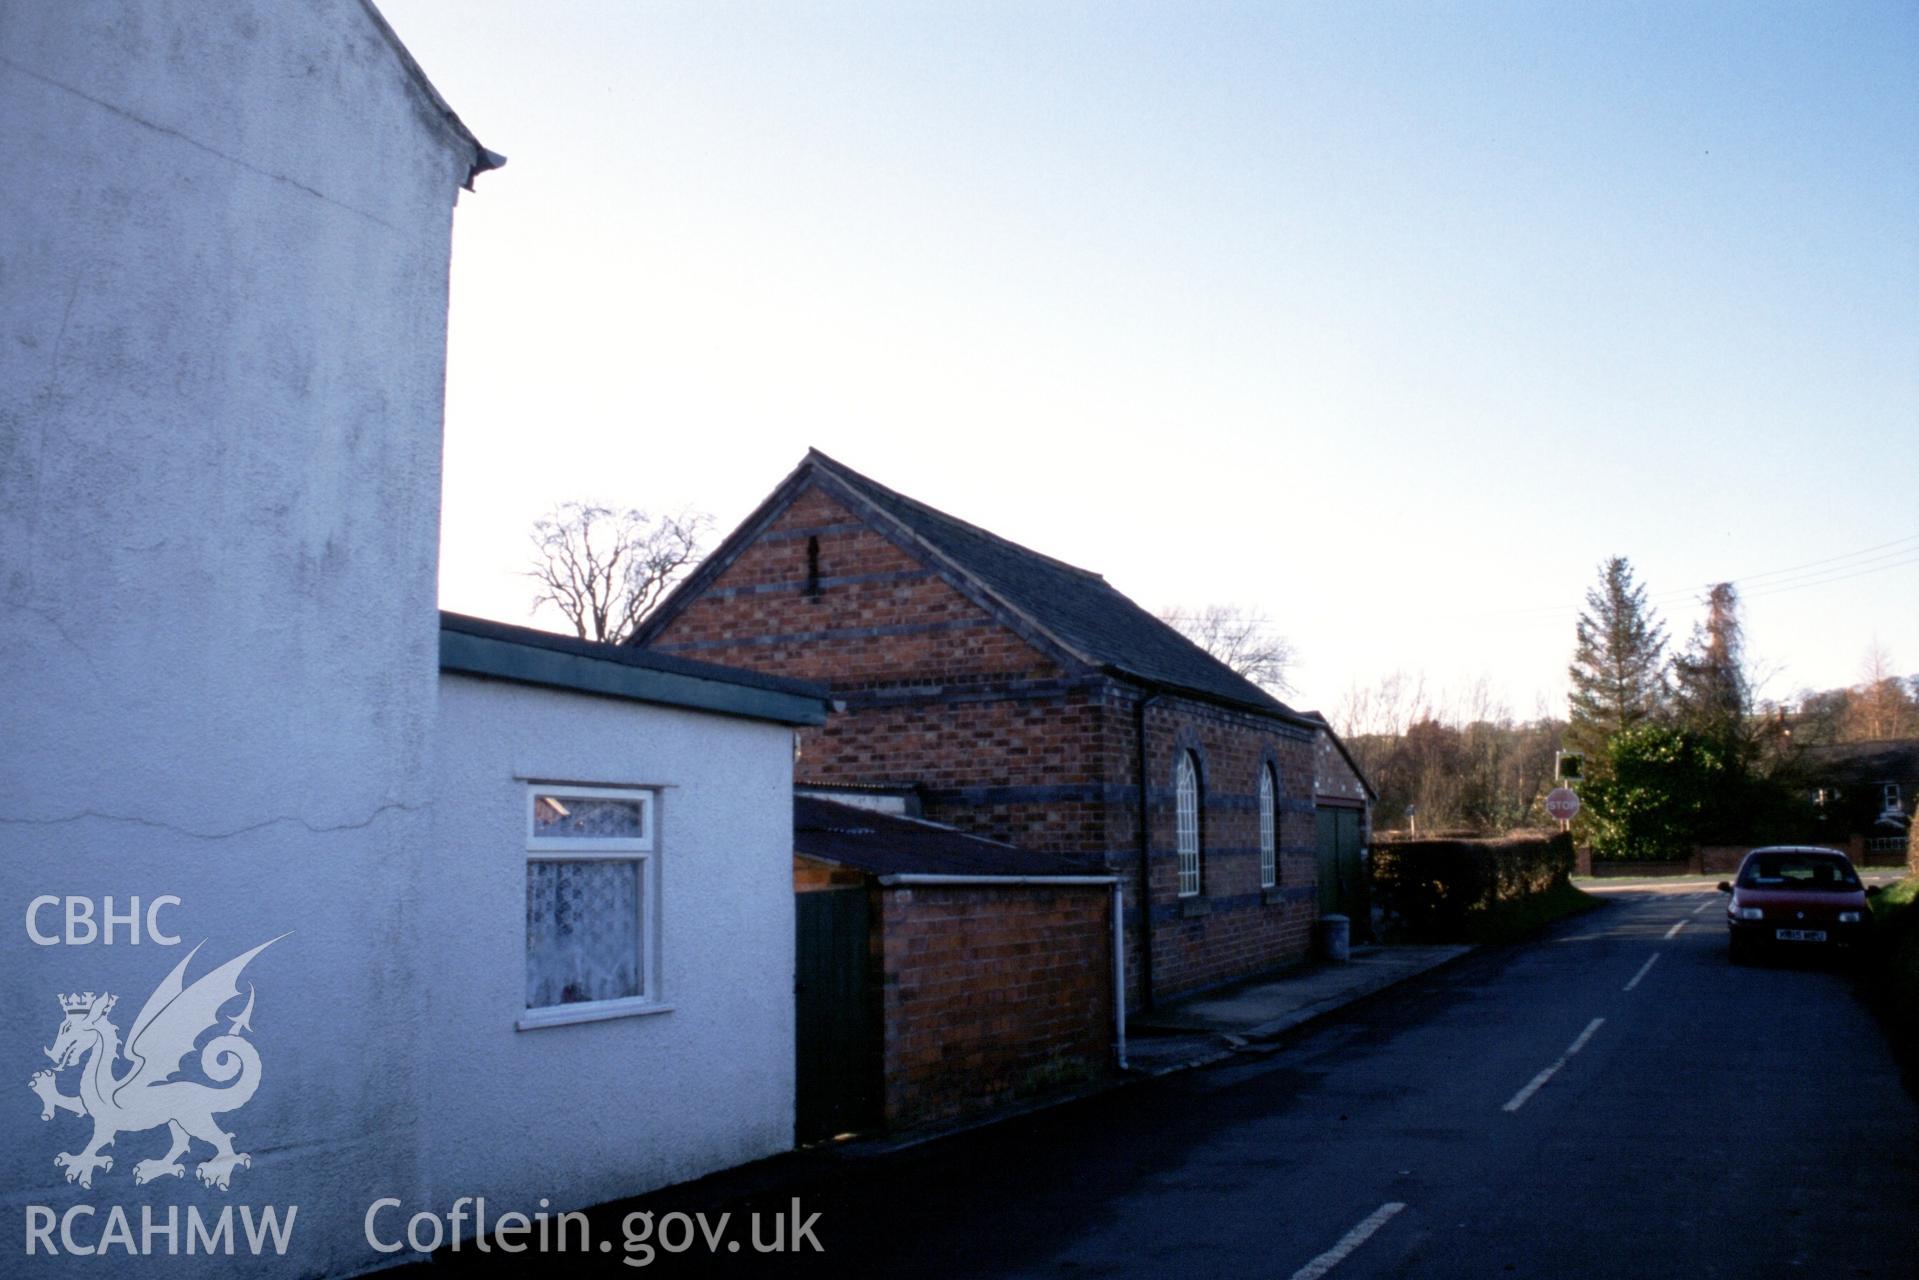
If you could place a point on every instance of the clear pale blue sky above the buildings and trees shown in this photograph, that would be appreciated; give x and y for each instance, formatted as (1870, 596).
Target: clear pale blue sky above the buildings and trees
(1388, 320)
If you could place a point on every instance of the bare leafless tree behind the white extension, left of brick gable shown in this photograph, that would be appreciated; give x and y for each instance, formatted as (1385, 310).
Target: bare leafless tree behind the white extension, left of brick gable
(607, 567)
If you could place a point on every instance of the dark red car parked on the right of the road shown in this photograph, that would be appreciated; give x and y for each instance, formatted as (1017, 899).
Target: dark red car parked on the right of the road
(1793, 897)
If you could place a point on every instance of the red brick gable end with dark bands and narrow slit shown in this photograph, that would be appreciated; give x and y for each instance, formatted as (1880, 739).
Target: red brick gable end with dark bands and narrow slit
(999, 738)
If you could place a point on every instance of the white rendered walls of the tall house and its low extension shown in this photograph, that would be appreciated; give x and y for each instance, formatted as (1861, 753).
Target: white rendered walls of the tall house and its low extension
(224, 289)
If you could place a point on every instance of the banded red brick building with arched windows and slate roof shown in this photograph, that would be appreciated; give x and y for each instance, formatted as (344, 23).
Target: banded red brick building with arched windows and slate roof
(1030, 703)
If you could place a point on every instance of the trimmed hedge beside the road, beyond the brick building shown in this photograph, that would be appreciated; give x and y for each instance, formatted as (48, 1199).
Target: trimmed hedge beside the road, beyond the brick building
(1431, 889)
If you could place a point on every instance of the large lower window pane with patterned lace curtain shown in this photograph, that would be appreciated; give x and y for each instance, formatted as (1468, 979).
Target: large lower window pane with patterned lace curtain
(582, 932)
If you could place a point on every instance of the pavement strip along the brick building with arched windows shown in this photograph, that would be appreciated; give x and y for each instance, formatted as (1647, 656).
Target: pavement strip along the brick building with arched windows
(1218, 1024)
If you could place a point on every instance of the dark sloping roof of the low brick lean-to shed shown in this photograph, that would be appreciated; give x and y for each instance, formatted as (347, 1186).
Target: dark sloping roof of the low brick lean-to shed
(891, 845)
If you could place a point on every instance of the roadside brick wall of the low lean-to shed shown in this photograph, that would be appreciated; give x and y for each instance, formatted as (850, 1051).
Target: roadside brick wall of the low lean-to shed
(993, 995)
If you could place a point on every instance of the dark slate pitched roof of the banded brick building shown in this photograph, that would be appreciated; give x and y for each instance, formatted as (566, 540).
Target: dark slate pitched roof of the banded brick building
(1058, 604)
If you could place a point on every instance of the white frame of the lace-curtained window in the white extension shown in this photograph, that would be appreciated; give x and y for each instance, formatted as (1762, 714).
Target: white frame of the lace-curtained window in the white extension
(640, 851)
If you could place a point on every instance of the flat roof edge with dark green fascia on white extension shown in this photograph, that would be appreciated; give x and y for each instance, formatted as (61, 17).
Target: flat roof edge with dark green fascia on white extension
(529, 657)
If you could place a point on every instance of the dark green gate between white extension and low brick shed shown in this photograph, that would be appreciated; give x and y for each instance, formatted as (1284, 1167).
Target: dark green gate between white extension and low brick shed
(836, 1026)
